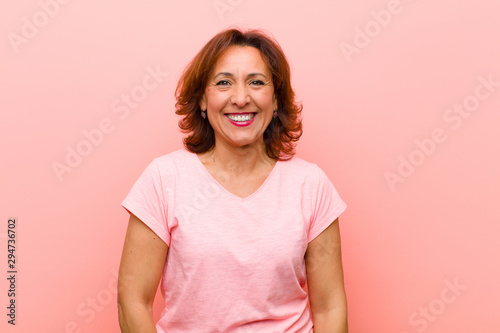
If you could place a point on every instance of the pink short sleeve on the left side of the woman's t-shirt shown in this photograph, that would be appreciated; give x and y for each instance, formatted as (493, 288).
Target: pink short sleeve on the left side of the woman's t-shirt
(146, 200)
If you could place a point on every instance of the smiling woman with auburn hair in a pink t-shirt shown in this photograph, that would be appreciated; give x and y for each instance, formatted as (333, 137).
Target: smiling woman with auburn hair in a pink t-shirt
(234, 222)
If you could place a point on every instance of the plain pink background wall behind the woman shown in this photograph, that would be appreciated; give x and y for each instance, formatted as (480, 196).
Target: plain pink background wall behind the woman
(421, 253)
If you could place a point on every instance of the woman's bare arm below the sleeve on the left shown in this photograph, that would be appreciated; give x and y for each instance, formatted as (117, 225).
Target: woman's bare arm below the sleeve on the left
(141, 267)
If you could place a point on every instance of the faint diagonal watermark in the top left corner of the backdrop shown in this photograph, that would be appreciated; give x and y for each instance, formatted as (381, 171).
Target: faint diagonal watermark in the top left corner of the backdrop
(31, 26)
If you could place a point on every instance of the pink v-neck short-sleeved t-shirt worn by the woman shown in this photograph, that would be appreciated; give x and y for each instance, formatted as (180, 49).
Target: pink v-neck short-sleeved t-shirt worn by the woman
(234, 264)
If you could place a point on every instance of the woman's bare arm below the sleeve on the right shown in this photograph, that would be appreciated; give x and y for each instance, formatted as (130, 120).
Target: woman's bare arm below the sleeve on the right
(325, 282)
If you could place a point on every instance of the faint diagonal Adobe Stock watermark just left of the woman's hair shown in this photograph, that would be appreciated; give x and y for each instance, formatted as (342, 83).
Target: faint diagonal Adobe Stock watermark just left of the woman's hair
(95, 136)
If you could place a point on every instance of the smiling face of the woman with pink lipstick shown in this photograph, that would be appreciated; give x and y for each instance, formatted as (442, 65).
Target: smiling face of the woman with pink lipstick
(239, 97)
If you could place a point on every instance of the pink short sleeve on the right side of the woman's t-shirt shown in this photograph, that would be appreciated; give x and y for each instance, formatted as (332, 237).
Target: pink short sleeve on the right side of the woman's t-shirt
(328, 205)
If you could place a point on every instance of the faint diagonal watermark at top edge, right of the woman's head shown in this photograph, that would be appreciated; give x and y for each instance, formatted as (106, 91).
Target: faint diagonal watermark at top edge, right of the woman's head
(363, 36)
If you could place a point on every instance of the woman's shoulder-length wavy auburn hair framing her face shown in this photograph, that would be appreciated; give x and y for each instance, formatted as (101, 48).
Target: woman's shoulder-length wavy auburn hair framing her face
(281, 134)
